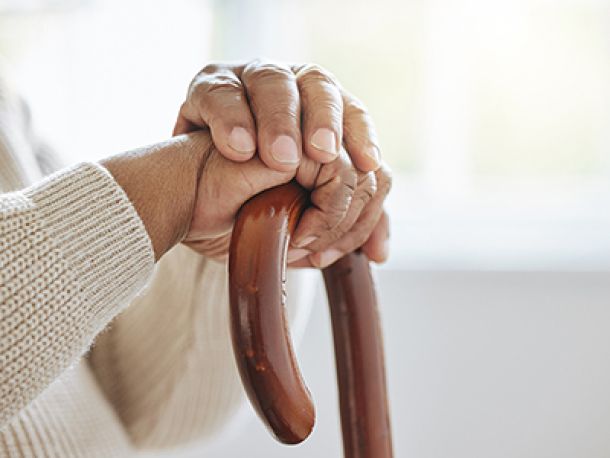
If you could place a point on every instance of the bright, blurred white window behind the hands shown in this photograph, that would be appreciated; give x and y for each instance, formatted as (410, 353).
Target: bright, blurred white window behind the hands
(494, 115)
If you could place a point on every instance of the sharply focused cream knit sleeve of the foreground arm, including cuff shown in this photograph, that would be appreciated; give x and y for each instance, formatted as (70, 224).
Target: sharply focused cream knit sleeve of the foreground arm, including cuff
(73, 253)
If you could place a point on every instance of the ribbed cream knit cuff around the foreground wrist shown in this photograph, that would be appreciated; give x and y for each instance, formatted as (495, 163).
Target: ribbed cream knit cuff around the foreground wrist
(93, 224)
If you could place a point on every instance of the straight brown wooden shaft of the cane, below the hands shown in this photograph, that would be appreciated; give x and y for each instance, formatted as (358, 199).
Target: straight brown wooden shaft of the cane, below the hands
(359, 357)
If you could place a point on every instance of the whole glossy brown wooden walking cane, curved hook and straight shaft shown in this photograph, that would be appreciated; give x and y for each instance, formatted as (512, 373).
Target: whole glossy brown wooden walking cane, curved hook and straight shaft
(261, 340)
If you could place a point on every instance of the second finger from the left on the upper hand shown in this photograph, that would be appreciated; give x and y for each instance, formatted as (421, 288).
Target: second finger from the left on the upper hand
(274, 101)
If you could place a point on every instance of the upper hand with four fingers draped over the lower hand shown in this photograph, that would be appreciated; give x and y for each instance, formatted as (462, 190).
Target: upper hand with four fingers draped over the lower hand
(280, 110)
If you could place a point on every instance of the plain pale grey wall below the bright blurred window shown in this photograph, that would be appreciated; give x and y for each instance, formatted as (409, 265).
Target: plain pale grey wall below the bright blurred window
(480, 364)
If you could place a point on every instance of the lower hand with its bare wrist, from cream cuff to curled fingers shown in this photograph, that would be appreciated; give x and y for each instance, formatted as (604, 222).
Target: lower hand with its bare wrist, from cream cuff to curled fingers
(184, 190)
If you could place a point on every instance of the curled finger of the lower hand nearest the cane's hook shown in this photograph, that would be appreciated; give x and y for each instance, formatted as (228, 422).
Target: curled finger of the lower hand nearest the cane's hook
(330, 199)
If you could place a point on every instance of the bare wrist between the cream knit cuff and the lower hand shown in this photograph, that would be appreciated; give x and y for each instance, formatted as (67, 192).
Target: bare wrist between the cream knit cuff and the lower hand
(161, 182)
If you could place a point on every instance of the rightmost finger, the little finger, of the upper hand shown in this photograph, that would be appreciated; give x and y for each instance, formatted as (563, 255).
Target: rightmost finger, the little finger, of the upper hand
(359, 135)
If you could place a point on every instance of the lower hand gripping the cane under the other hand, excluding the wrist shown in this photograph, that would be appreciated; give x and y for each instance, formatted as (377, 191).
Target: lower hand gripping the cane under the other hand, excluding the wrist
(347, 206)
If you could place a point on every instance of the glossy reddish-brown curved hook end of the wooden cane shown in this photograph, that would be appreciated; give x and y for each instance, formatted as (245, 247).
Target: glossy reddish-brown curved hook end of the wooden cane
(261, 340)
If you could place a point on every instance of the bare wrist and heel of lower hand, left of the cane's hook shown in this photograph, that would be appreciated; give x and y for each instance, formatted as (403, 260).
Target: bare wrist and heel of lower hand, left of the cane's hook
(184, 190)
